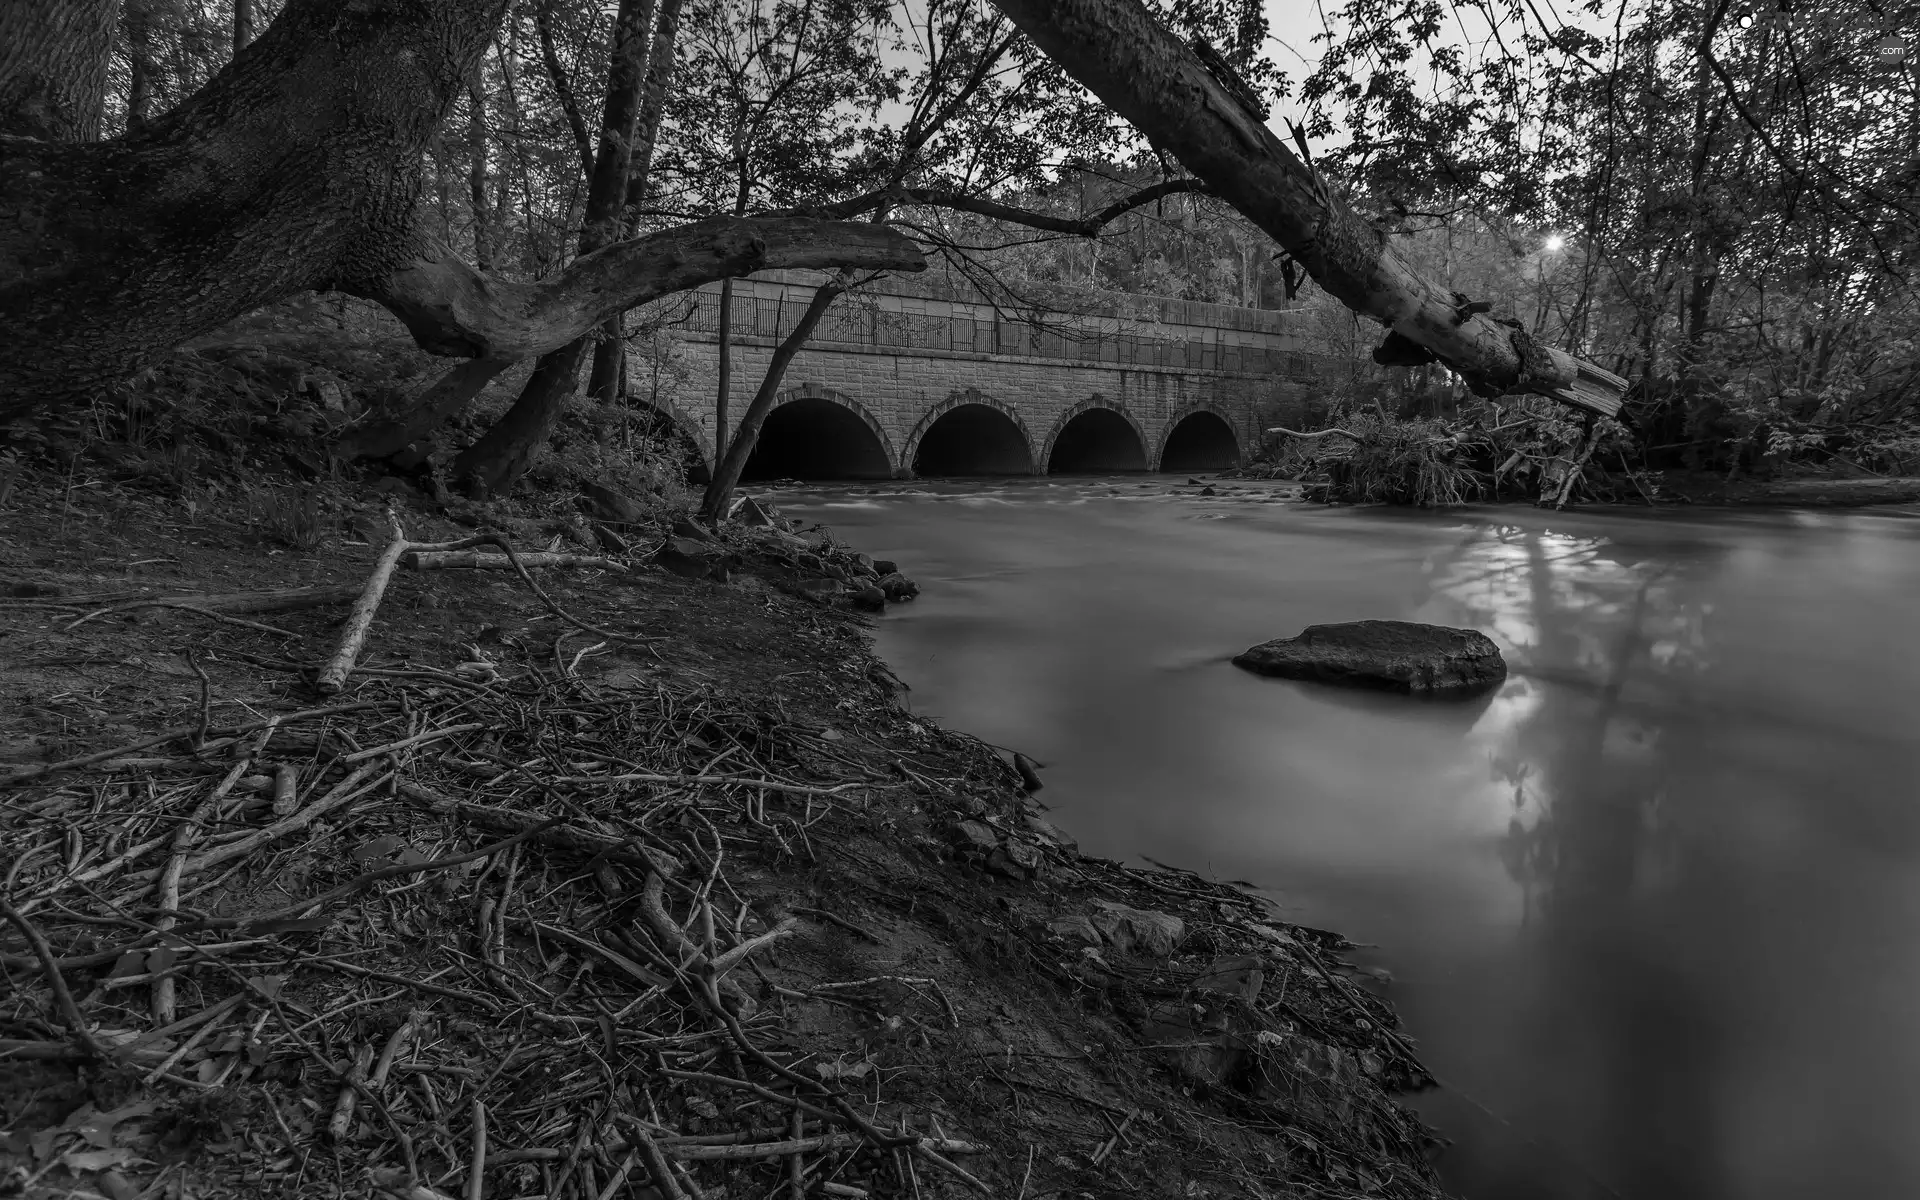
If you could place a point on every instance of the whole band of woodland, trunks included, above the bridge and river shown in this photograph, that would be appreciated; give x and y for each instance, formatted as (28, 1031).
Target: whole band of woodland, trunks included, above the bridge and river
(1712, 203)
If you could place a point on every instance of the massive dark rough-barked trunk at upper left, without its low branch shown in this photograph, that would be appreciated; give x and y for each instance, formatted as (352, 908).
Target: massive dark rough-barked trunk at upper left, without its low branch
(299, 164)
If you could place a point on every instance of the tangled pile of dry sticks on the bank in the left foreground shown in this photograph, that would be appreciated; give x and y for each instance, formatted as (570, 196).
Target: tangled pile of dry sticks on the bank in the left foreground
(477, 930)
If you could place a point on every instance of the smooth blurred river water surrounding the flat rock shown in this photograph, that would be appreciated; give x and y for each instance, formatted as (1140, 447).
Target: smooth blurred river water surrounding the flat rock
(1652, 909)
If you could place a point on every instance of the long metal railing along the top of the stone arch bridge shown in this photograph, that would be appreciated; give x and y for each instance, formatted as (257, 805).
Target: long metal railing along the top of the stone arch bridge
(882, 329)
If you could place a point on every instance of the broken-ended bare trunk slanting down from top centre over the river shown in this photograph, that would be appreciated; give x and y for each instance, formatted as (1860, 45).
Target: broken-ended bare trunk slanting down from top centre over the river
(1143, 72)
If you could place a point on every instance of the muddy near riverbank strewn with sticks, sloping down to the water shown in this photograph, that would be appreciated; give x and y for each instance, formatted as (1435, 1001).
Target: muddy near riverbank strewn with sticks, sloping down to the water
(652, 876)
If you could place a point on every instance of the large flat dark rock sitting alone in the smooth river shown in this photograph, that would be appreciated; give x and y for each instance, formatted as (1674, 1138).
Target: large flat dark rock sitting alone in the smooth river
(1383, 654)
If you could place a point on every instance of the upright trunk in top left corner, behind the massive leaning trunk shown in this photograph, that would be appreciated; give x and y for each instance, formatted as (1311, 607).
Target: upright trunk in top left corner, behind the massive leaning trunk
(55, 68)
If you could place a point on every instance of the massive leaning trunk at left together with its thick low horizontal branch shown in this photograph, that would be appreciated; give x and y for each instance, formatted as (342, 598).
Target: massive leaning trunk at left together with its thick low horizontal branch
(299, 168)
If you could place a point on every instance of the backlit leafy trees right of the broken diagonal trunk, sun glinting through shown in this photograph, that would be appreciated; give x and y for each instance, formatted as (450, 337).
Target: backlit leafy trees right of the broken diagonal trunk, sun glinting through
(1723, 214)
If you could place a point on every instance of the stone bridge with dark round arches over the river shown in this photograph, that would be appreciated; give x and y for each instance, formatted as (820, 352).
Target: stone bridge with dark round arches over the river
(924, 379)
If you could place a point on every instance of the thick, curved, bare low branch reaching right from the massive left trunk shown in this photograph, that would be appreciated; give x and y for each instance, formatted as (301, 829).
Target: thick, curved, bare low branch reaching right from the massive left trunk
(458, 312)
